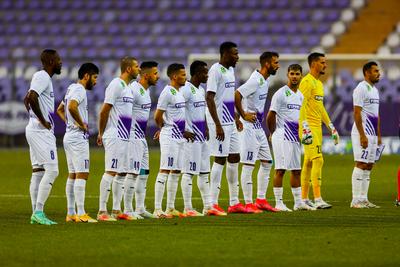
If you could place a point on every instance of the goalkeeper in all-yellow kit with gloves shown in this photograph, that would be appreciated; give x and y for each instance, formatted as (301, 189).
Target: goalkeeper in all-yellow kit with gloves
(313, 92)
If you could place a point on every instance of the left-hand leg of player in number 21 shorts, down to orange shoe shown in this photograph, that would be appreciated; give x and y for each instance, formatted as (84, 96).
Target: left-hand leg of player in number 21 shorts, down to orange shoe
(111, 168)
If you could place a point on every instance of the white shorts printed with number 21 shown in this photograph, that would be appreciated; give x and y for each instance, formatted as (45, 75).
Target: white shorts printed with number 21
(116, 155)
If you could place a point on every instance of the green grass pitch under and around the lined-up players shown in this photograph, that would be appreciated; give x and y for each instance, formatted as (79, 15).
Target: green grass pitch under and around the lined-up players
(340, 236)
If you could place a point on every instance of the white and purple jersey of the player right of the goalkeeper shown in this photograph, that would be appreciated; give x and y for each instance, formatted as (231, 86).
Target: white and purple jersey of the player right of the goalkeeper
(367, 97)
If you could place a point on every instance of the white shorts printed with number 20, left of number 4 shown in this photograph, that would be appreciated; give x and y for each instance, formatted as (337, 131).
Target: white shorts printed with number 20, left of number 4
(196, 158)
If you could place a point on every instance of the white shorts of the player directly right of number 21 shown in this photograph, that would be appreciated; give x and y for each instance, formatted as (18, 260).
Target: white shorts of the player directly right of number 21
(138, 155)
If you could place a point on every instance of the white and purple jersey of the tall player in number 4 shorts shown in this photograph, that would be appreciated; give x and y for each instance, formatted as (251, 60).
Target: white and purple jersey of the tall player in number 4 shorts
(221, 81)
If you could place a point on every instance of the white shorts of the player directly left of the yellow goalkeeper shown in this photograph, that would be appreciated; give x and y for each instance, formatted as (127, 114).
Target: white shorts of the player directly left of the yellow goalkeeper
(287, 155)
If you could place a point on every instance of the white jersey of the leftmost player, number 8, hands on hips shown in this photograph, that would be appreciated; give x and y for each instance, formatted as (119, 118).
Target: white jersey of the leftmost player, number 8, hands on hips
(42, 85)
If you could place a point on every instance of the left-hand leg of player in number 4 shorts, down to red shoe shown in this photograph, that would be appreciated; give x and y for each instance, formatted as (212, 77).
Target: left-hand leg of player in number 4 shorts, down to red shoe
(220, 151)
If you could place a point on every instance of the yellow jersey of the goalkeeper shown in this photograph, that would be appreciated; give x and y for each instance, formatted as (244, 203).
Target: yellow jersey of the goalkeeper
(313, 106)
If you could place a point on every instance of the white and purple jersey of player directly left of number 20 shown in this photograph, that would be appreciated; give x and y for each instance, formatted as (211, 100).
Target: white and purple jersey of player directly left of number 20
(173, 103)
